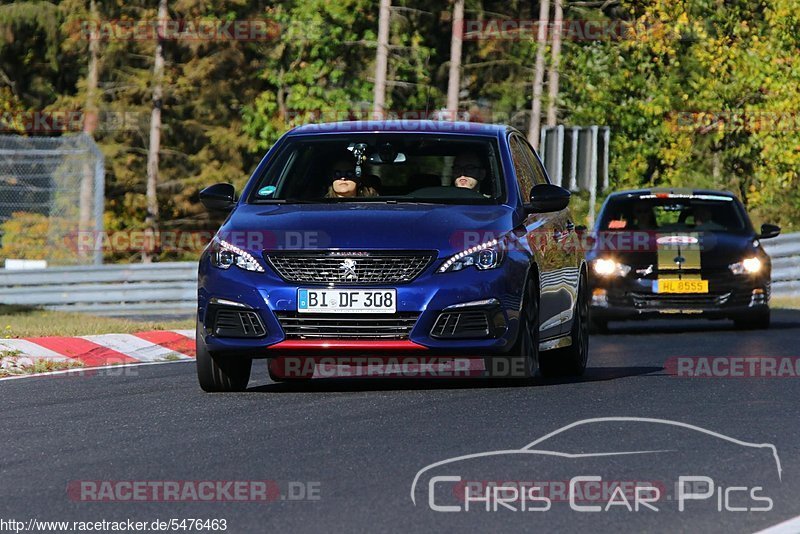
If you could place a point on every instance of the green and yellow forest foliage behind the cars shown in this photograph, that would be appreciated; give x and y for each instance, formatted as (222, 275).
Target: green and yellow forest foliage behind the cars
(700, 93)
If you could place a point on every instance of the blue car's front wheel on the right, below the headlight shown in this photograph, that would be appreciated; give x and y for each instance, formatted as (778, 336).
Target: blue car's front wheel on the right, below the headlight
(522, 362)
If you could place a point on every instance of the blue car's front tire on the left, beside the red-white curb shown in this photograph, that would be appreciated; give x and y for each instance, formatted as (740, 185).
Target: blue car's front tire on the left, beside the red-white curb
(216, 373)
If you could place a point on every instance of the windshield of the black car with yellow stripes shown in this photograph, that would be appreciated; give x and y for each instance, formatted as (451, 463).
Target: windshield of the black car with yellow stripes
(690, 213)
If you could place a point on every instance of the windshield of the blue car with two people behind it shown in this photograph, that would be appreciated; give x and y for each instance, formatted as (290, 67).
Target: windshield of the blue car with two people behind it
(383, 167)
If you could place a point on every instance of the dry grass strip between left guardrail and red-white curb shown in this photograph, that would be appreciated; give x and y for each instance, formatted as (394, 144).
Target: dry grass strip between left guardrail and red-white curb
(24, 321)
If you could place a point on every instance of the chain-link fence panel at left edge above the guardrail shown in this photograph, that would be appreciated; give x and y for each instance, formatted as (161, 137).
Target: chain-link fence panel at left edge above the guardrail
(51, 194)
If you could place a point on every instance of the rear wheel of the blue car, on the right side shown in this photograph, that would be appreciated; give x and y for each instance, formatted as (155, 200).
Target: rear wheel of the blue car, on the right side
(572, 360)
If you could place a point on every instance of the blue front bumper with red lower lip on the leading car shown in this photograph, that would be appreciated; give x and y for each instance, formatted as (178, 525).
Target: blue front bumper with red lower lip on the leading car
(422, 302)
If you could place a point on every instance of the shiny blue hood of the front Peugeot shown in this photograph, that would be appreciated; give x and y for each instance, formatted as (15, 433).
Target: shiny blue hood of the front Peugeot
(446, 228)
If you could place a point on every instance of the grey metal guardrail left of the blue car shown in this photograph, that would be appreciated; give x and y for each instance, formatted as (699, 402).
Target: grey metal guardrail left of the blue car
(166, 289)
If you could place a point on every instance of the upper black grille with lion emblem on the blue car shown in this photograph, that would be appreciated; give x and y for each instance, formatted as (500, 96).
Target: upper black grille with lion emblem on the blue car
(356, 268)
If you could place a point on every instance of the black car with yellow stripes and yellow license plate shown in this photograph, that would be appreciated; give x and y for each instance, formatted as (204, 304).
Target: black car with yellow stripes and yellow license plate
(670, 252)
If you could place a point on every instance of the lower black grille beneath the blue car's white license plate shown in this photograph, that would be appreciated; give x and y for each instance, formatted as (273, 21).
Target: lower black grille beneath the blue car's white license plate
(352, 326)
